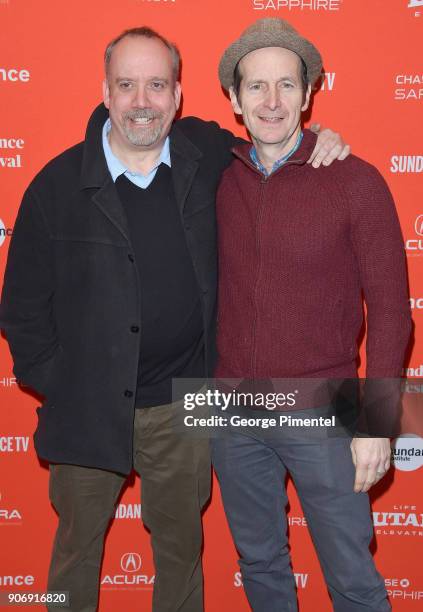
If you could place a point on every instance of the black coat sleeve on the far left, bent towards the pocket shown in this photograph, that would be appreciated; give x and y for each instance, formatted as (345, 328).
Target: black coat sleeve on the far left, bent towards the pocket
(26, 310)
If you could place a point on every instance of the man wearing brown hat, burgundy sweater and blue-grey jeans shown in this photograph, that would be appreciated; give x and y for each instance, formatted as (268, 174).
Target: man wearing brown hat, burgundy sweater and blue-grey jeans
(297, 249)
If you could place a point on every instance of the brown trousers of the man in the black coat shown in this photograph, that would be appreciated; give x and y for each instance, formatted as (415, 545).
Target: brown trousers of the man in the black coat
(175, 485)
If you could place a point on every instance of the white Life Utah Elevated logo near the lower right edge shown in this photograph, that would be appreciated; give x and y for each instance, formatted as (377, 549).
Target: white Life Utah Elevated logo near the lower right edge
(403, 520)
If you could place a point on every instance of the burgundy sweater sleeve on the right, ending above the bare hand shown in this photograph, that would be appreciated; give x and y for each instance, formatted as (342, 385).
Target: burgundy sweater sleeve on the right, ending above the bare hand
(379, 248)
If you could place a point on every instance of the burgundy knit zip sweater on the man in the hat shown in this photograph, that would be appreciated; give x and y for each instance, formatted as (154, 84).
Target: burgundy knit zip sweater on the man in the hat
(297, 251)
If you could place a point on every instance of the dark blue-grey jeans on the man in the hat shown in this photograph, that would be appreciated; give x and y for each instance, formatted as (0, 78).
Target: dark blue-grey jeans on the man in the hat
(251, 468)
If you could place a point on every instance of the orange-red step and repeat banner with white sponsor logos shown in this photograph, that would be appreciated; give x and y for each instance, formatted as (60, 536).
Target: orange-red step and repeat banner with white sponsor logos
(51, 74)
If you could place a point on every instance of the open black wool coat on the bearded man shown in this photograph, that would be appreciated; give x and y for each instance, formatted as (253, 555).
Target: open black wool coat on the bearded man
(71, 297)
